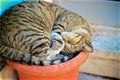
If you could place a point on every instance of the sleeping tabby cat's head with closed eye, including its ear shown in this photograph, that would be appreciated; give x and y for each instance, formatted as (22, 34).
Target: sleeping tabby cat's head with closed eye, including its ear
(77, 40)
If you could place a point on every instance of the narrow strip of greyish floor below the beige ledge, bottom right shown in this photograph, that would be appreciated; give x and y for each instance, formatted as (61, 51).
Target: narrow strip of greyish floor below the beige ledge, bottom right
(84, 76)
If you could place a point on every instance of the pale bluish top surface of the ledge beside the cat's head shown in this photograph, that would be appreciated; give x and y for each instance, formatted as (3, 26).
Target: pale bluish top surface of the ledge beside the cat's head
(106, 38)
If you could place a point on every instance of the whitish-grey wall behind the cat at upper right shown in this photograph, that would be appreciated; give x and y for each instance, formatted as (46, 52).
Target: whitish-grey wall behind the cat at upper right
(95, 11)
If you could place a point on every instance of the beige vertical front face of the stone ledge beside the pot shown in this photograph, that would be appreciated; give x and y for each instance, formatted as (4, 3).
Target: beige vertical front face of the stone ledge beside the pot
(103, 63)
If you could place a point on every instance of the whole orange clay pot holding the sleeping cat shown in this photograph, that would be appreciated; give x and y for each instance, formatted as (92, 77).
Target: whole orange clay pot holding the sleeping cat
(63, 71)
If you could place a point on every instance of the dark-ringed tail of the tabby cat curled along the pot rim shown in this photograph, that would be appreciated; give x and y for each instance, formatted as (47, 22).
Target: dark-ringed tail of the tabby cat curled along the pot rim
(12, 54)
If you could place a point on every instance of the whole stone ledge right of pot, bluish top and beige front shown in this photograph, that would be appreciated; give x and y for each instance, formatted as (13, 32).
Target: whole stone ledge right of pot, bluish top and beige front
(105, 60)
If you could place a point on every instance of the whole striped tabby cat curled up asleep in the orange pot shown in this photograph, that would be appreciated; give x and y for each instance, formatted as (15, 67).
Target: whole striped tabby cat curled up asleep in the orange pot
(36, 32)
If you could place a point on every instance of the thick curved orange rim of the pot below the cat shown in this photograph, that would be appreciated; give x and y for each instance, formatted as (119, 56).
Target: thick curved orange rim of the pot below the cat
(67, 66)
